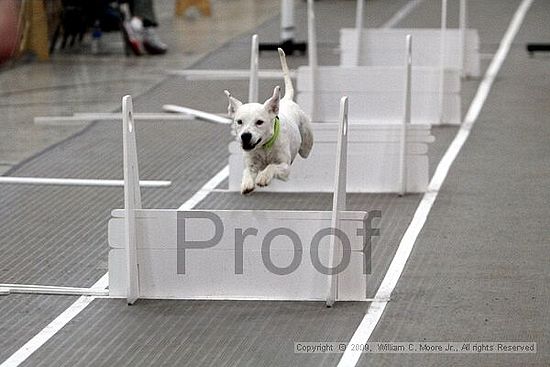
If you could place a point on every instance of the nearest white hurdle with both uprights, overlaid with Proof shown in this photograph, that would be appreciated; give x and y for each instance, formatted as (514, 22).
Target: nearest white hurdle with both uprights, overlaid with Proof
(159, 254)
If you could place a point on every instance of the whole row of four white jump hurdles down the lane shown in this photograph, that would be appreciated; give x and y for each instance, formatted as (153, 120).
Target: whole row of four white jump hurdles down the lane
(394, 99)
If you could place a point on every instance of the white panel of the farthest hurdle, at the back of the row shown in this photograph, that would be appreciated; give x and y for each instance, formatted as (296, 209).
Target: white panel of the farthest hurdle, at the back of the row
(385, 47)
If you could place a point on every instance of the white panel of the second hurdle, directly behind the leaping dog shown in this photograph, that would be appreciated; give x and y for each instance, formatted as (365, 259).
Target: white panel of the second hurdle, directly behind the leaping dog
(373, 160)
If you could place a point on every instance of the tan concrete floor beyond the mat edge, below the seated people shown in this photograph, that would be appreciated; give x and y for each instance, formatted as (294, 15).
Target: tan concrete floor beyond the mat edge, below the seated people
(74, 80)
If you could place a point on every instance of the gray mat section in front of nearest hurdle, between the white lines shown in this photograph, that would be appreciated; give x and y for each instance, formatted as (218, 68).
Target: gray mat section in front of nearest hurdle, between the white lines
(199, 333)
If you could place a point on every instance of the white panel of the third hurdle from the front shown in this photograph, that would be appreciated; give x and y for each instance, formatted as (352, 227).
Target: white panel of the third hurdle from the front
(377, 93)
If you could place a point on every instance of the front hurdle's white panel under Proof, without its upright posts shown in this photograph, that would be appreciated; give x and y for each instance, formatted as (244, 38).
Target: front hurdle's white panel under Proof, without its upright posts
(210, 272)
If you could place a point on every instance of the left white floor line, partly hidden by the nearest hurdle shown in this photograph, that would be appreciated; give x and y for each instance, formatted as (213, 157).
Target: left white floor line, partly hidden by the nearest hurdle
(82, 302)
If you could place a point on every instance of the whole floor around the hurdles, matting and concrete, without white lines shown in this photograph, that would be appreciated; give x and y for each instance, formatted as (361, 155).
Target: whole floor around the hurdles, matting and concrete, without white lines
(479, 269)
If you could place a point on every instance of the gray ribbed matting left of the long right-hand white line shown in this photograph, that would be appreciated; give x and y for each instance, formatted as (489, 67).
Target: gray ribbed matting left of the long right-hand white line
(54, 235)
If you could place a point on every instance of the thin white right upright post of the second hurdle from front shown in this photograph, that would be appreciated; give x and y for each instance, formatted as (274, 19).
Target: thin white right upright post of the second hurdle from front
(406, 120)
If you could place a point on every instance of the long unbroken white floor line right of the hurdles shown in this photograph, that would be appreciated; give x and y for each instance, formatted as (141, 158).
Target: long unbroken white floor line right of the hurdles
(375, 310)
